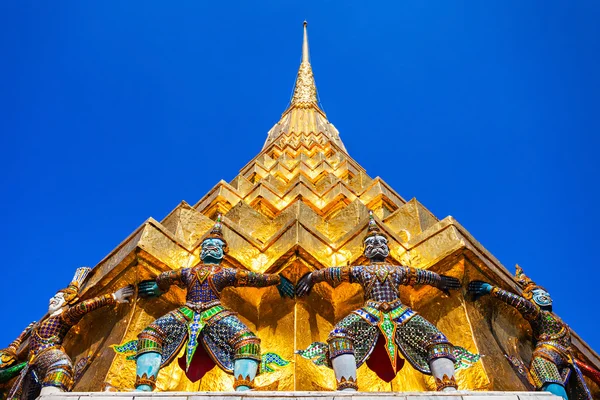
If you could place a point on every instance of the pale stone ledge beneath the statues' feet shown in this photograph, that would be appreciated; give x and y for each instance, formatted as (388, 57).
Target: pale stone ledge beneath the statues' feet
(461, 395)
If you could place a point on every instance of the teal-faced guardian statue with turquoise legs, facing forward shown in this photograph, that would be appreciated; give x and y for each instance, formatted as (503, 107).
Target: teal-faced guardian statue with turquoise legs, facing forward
(203, 322)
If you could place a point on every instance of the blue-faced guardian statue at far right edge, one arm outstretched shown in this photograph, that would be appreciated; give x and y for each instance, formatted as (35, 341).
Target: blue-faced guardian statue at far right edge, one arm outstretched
(553, 366)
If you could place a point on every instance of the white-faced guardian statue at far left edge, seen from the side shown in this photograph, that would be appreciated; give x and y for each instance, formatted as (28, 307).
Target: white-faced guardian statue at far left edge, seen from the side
(48, 367)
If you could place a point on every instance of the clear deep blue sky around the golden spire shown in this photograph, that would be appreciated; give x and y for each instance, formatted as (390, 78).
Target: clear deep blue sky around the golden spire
(115, 111)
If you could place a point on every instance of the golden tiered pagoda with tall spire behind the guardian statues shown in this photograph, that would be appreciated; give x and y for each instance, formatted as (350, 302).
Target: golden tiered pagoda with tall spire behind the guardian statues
(303, 204)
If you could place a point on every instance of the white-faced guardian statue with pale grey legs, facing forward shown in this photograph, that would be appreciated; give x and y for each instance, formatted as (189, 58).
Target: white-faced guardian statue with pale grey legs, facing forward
(384, 319)
